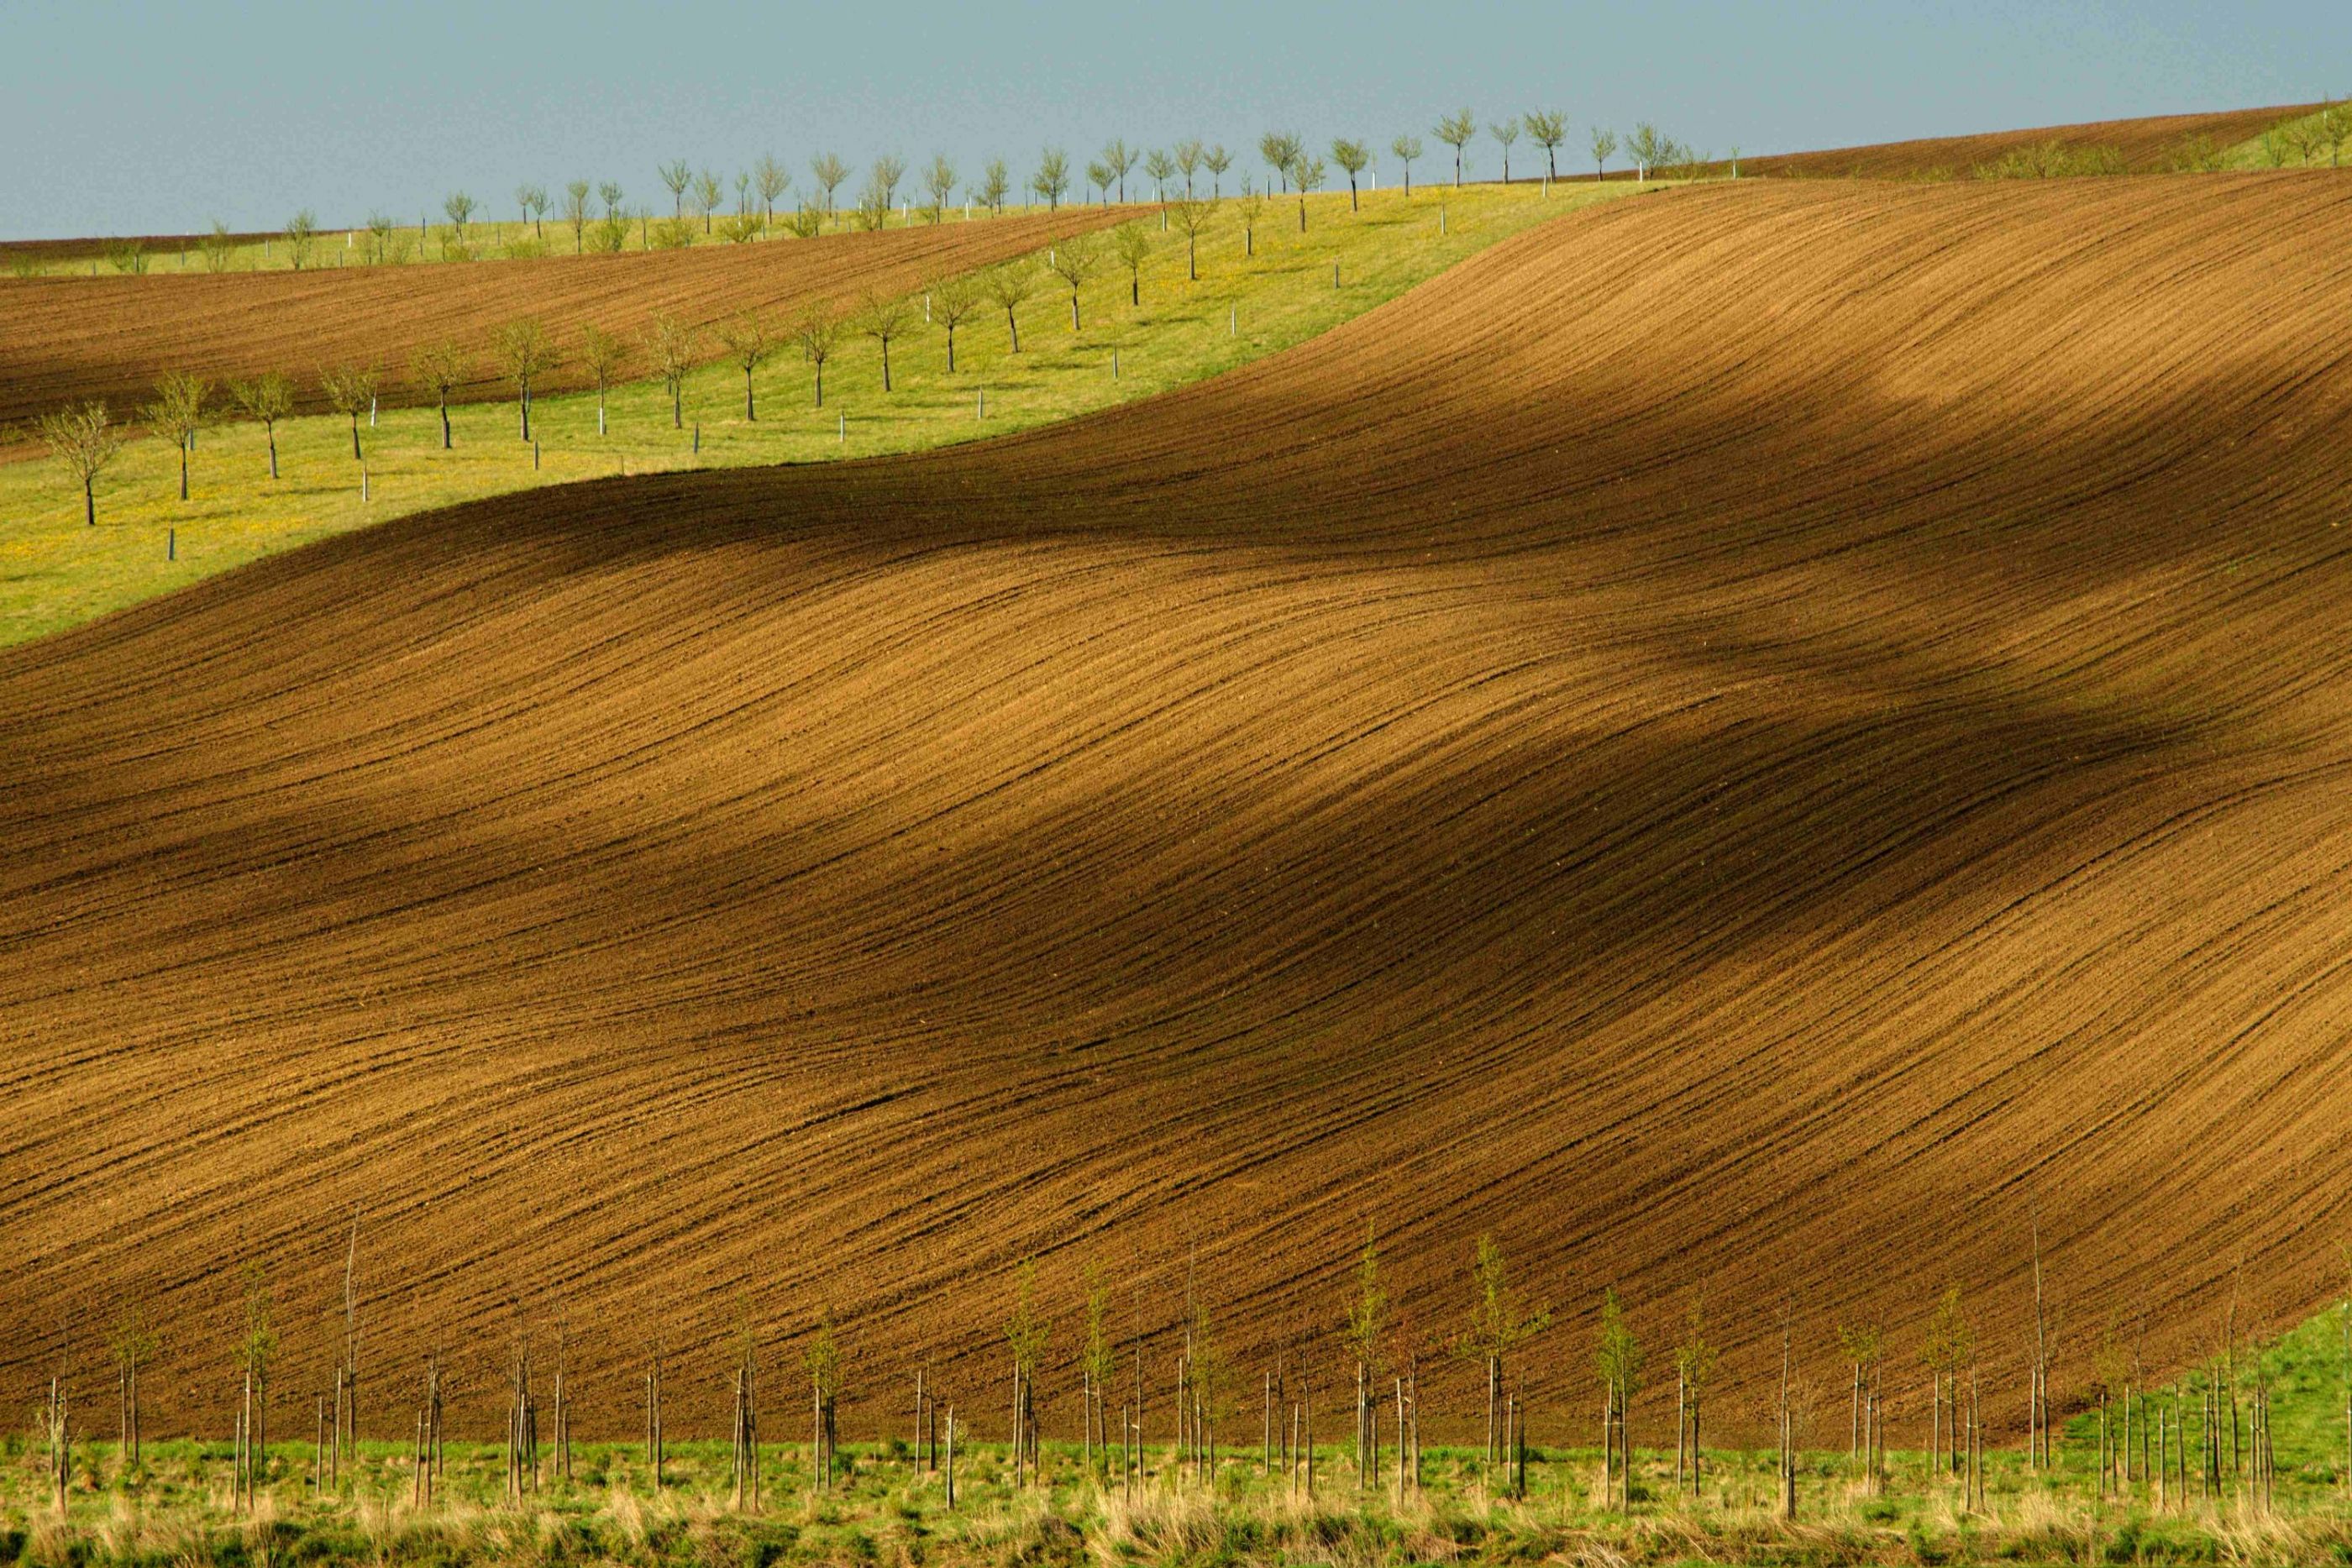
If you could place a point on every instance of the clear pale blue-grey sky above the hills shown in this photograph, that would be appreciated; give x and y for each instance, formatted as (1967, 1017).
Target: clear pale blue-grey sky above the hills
(154, 119)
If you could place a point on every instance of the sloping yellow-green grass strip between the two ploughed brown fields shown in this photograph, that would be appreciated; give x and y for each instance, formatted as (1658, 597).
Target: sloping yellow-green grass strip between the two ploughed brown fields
(58, 572)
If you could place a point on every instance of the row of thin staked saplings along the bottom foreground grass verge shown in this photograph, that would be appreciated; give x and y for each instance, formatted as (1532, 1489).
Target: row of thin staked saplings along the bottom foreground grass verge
(1196, 1402)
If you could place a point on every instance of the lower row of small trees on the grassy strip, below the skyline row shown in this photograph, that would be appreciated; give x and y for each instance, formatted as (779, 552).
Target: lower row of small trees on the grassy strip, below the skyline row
(523, 354)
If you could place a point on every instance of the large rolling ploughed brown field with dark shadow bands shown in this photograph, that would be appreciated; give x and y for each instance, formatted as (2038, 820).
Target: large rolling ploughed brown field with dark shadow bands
(1742, 742)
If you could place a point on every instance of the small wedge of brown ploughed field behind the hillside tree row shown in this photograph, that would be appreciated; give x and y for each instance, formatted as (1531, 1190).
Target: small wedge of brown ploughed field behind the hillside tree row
(67, 340)
